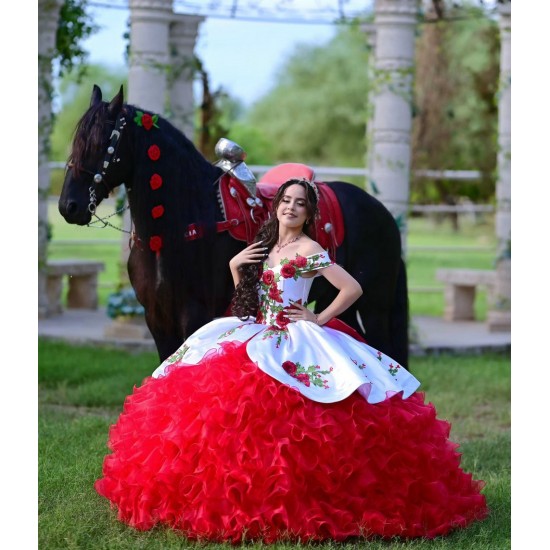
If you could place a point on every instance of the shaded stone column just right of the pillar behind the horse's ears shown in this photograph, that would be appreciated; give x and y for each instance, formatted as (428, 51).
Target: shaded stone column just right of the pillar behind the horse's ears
(182, 40)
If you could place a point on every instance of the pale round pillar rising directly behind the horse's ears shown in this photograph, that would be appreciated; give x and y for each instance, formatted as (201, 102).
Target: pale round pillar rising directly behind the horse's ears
(149, 55)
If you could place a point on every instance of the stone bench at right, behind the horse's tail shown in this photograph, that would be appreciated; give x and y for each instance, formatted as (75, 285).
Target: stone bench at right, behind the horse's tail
(460, 291)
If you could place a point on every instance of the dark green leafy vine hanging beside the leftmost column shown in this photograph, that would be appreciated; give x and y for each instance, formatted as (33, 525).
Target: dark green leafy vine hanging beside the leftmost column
(74, 27)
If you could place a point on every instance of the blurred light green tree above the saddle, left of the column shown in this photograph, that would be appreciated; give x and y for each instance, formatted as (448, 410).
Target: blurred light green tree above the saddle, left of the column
(316, 112)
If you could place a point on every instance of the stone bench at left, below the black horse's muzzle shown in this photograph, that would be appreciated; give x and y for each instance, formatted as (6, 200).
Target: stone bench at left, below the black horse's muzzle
(81, 281)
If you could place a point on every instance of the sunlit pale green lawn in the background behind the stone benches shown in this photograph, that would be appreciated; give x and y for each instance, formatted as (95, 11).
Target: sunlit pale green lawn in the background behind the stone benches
(425, 296)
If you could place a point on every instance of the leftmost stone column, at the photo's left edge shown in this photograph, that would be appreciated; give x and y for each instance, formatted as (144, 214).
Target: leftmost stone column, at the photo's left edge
(48, 18)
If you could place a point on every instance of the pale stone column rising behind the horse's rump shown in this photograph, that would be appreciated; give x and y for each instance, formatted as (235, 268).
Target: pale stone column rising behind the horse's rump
(390, 135)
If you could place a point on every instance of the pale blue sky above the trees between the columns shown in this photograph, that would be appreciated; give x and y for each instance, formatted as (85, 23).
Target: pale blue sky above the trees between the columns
(241, 55)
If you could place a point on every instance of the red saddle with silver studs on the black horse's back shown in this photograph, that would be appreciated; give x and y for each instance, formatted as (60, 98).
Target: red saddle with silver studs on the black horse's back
(244, 216)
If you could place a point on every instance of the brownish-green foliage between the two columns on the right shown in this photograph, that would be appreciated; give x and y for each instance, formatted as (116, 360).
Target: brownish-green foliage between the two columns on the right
(455, 126)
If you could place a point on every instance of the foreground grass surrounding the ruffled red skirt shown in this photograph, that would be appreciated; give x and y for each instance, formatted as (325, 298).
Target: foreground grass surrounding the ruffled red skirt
(81, 392)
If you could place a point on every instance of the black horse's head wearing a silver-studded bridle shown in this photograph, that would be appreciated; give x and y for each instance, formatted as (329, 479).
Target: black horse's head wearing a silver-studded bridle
(94, 168)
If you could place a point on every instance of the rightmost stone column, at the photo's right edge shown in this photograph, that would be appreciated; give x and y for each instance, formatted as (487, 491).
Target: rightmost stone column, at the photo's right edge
(499, 316)
